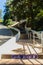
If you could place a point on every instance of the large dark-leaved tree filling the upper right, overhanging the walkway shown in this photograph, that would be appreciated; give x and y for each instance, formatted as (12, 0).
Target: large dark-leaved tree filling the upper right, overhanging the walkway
(32, 10)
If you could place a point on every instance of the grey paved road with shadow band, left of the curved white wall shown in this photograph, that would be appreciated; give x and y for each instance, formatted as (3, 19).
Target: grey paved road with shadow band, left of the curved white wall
(5, 34)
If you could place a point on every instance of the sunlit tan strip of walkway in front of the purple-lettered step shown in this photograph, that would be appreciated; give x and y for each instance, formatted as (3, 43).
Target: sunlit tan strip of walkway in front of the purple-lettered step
(22, 61)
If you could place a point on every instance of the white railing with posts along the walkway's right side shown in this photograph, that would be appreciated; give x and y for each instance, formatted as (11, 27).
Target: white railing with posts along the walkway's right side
(36, 34)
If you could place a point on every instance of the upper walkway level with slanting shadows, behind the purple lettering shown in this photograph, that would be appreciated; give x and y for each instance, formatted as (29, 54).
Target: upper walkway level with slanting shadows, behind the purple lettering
(24, 47)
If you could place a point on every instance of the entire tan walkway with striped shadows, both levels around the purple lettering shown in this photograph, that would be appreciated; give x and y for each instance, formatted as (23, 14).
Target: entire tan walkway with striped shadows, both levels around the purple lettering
(27, 49)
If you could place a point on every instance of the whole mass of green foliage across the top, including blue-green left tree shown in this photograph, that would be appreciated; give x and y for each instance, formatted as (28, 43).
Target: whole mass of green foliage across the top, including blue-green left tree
(32, 10)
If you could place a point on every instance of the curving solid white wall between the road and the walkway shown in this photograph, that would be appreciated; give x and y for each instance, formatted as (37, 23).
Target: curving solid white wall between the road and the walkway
(9, 45)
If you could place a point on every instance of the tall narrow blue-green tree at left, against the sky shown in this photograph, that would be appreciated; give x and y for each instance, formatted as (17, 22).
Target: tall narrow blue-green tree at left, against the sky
(7, 12)
